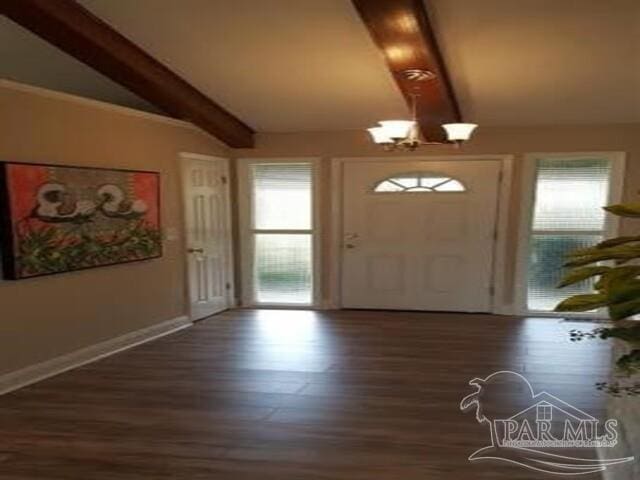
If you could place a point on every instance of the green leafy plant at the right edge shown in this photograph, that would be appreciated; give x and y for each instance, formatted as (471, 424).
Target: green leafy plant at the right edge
(616, 287)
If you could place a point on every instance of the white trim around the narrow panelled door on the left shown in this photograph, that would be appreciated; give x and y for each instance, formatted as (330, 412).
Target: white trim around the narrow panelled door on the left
(183, 157)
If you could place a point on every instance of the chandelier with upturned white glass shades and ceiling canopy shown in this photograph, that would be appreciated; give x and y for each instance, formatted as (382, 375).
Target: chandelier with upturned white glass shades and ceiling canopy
(405, 134)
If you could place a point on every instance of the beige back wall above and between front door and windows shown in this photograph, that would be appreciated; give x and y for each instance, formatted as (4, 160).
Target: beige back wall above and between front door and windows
(515, 141)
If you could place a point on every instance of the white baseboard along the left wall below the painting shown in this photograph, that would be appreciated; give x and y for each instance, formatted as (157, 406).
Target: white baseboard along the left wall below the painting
(35, 373)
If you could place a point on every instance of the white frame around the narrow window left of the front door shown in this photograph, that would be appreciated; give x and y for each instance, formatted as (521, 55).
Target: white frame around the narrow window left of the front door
(245, 214)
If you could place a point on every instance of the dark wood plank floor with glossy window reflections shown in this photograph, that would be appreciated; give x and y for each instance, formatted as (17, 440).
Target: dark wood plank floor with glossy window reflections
(292, 395)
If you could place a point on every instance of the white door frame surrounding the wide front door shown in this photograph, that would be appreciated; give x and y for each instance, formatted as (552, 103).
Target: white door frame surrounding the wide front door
(499, 304)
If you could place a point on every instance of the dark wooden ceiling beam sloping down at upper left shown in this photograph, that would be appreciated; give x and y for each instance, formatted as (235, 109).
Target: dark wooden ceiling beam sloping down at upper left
(76, 31)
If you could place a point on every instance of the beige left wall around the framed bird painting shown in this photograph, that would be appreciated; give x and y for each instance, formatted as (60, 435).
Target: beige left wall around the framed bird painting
(49, 316)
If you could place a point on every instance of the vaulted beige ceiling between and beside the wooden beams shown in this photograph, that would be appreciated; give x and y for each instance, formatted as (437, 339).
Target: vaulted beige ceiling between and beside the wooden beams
(309, 65)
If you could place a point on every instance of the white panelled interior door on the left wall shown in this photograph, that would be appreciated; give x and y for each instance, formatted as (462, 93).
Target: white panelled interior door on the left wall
(208, 234)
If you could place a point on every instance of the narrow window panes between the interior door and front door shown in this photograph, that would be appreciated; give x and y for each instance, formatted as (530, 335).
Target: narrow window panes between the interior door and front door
(282, 196)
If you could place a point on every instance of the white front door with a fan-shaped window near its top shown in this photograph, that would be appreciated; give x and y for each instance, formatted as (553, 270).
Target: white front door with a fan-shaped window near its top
(419, 235)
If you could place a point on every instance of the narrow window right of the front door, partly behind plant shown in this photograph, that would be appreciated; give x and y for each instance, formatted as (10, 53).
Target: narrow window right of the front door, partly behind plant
(567, 215)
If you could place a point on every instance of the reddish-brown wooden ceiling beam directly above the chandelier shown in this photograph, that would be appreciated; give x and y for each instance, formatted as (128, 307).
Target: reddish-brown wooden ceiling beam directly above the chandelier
(402, 31)
